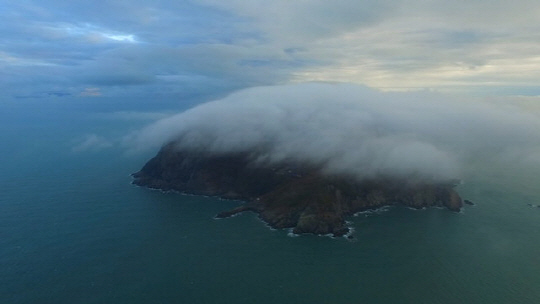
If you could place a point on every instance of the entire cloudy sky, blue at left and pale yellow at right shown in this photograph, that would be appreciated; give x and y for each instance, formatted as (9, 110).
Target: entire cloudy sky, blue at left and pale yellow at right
(184, 49)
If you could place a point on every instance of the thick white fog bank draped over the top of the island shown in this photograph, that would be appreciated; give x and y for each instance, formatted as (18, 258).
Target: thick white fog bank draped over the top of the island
(355, 130)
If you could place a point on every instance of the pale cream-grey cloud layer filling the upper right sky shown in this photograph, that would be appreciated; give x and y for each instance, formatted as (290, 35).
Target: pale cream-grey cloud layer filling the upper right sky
(404, 44)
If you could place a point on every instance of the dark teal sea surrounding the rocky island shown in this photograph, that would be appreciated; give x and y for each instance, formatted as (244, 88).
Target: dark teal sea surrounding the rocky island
(74, 230)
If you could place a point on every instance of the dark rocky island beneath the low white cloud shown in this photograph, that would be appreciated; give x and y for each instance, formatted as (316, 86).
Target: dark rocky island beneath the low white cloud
(300, 196)
